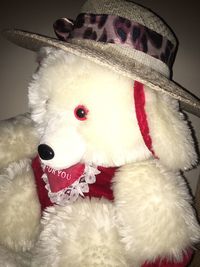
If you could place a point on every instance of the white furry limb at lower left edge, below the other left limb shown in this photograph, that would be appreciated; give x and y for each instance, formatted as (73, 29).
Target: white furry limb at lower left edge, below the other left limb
(19, 207)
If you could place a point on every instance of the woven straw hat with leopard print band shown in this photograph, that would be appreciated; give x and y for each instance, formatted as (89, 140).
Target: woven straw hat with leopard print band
(122, 36)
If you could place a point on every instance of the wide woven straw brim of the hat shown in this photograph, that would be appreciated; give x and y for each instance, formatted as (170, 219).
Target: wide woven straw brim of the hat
(100, 54)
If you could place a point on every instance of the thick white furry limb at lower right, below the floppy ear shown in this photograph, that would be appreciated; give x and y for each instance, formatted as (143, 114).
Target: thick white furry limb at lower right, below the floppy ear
(155, 218)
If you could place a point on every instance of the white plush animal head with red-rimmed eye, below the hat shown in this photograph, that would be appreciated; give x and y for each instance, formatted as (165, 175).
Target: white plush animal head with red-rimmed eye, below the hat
(85, 112)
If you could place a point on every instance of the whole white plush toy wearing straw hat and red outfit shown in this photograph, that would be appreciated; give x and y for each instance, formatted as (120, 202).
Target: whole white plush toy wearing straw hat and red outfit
(111, 143)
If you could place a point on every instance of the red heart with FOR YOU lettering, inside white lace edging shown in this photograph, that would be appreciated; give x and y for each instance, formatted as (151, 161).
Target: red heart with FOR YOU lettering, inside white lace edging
(60, 179)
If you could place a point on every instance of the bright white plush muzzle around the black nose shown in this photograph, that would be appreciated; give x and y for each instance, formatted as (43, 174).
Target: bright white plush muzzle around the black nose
(67, 143)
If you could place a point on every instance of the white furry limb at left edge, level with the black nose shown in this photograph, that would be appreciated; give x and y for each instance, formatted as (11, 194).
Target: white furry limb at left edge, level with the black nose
(18, 139)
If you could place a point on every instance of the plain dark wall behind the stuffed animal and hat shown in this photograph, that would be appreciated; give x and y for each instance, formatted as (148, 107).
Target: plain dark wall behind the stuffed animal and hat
(17, 64)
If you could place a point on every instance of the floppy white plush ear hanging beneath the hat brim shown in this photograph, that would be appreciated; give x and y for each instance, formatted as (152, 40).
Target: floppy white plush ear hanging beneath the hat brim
(171, 135)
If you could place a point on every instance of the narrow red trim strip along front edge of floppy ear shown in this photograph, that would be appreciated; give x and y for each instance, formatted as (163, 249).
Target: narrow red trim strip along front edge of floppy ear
(139, 98)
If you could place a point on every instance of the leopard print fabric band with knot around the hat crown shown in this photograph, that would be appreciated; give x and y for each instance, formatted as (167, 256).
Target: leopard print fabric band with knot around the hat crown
(118, 31)
